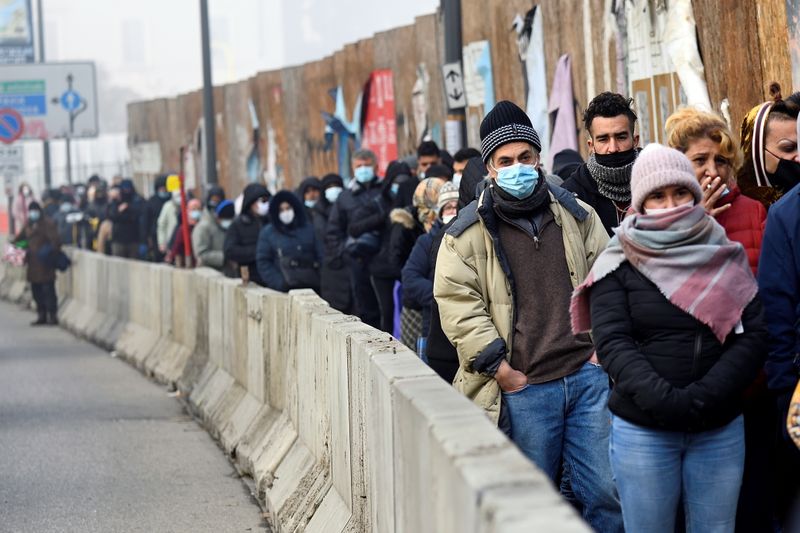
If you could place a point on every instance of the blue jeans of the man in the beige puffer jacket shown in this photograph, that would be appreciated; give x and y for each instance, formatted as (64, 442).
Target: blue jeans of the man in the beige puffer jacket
(567, 421)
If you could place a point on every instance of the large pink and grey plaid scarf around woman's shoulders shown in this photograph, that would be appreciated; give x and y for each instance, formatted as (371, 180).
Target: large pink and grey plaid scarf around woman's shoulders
(687, 255)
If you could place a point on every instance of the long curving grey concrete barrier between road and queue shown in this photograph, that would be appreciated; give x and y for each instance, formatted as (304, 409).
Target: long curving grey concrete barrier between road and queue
(342, 428)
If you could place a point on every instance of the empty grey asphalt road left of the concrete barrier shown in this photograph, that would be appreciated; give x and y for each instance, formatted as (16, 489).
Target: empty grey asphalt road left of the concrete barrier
(88, 444)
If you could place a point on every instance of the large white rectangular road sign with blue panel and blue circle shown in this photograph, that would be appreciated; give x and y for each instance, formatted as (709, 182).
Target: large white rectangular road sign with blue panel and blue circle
(56, 100)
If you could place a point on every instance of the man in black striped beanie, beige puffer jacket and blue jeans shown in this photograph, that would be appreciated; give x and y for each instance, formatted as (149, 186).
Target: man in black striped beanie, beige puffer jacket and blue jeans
(504, 276)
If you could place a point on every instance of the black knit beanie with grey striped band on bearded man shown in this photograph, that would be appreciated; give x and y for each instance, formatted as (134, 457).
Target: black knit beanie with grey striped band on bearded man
(506, 123)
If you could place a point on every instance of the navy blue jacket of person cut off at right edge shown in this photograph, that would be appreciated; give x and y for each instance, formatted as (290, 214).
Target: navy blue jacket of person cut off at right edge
(779, 288)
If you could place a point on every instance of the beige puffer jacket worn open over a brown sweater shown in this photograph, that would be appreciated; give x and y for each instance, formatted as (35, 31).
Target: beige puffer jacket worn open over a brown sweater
(474, 287)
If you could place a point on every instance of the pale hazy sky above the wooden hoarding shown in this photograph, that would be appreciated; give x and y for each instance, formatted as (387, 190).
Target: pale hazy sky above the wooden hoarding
(152, 47)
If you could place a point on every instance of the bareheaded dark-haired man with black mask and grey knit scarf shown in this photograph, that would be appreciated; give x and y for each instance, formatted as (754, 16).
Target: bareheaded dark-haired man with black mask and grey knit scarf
(604, 181)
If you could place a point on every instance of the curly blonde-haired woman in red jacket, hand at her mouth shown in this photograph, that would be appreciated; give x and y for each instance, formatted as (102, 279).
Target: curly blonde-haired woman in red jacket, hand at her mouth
(707, 142)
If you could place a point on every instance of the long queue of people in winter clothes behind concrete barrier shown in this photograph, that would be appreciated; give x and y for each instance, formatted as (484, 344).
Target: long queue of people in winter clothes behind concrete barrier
(630, 321)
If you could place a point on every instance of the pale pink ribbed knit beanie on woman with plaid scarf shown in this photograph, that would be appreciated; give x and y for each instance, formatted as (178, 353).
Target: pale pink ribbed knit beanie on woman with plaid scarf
(658, 166)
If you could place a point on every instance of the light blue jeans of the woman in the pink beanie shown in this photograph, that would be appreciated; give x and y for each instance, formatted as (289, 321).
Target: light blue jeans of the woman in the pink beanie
(653, 468)
